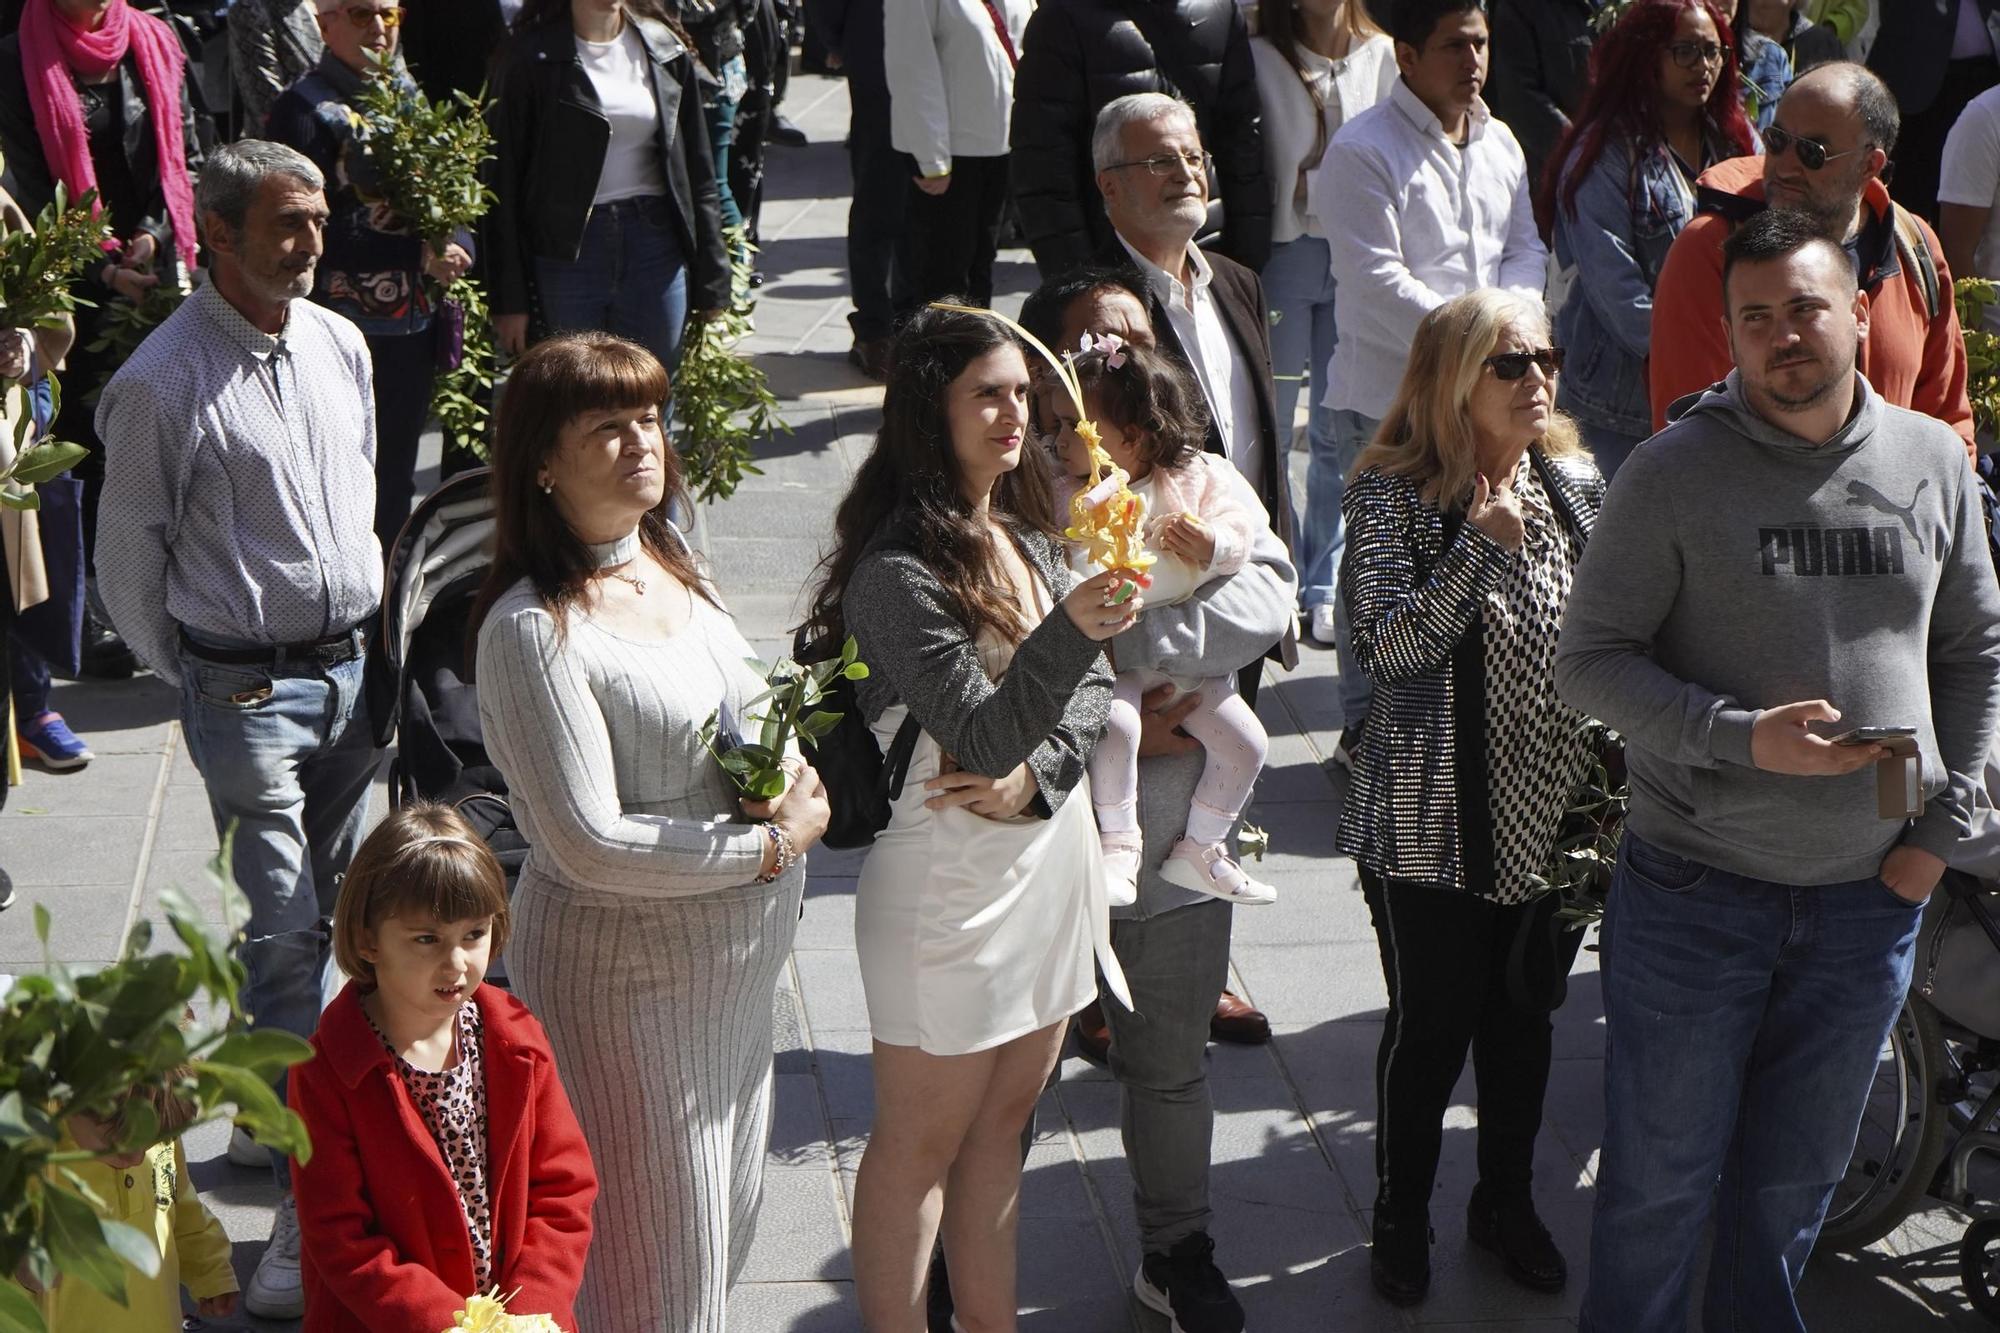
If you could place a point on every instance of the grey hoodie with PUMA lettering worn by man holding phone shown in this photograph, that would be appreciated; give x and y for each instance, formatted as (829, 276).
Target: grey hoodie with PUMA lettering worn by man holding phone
(1735, 569)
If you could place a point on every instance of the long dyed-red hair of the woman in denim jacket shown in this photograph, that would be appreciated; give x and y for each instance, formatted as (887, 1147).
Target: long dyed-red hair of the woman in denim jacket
(1625, 101)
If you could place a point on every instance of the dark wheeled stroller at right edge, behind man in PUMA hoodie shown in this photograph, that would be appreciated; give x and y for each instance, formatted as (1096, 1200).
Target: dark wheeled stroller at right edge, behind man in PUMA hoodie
(1935, 1104)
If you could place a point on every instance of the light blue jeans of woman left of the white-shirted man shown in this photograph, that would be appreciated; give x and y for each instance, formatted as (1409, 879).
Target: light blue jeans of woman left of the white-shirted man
(1299, 283)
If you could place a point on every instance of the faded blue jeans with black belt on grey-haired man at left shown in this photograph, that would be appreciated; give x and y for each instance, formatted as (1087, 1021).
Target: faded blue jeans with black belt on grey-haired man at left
(287, 756)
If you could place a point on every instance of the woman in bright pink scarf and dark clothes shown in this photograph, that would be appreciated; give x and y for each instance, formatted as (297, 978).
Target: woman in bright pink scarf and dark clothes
(95, 97)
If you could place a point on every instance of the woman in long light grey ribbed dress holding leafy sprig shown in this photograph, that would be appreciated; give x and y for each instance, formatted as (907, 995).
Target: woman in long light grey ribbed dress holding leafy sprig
(653, 918)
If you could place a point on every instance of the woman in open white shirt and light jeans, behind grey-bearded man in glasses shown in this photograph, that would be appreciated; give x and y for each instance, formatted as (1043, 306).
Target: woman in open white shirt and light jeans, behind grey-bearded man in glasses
(1319, 65)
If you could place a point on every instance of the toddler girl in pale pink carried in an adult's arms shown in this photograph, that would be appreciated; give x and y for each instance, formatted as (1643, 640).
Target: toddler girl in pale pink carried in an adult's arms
(1201, 525)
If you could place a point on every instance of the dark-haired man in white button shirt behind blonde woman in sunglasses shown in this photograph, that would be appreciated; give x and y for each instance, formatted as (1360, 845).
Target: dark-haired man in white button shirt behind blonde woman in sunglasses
(1423, 197)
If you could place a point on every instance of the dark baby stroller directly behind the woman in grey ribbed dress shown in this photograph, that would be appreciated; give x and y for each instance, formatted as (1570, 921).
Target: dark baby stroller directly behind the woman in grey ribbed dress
(435, 575)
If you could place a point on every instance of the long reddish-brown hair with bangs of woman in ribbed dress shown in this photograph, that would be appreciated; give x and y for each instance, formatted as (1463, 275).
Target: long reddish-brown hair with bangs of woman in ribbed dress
(559, 381)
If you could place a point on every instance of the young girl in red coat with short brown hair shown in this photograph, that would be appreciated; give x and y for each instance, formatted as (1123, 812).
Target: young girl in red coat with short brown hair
(445, 1156)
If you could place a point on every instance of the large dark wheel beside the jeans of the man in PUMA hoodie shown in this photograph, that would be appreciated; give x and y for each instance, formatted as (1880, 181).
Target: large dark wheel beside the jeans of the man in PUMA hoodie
(1903, 1136)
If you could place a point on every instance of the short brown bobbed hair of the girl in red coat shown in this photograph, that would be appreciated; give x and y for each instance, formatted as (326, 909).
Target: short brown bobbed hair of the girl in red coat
(421, 862)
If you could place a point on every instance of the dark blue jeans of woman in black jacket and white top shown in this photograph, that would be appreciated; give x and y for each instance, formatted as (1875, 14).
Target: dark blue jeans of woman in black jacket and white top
(627, 279)
